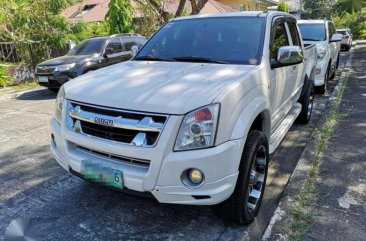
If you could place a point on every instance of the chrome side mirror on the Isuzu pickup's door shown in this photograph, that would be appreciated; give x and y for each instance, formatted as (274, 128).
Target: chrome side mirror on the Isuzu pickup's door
(288, 55)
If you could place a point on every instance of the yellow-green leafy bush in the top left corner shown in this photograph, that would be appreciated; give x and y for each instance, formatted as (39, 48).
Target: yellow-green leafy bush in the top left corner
(26, 20)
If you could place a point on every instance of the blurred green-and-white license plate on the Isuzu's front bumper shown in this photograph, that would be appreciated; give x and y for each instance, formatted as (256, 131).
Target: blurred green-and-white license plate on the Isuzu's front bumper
(97, 172)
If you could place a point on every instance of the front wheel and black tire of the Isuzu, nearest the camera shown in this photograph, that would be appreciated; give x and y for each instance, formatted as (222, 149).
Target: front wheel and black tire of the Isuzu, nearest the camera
(244, 204)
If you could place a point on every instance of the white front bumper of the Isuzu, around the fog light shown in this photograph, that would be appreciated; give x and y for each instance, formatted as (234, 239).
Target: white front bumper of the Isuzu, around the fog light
(163, 177)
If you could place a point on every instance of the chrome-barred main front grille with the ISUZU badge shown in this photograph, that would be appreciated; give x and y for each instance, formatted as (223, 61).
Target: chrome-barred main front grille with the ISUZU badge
(132, 128)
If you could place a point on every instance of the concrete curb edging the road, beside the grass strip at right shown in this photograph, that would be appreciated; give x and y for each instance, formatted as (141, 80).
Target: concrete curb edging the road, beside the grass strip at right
(301, 172)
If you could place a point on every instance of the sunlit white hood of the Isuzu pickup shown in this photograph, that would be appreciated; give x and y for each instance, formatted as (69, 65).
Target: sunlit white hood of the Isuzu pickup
(159, 87)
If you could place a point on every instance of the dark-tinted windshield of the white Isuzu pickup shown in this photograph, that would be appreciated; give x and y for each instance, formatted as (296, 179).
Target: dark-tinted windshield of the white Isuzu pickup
(235, 40)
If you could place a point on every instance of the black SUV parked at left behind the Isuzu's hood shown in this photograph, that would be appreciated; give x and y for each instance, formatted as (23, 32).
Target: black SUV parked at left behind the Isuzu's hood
(90, 54)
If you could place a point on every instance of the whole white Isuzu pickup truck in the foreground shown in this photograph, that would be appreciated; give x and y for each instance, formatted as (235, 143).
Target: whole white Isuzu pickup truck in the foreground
(193, 117)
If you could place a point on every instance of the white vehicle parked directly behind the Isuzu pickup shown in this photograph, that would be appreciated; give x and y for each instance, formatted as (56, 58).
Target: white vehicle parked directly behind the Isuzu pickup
(328, 43)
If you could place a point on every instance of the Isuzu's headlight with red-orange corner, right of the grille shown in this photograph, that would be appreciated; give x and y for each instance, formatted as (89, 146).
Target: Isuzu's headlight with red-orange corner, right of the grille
(198, 129)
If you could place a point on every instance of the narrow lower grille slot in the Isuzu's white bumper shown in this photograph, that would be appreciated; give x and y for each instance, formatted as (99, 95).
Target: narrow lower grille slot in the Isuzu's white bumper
(137, 162)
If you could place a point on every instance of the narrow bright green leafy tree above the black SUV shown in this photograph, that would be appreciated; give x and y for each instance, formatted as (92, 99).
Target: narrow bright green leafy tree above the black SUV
(119, 16)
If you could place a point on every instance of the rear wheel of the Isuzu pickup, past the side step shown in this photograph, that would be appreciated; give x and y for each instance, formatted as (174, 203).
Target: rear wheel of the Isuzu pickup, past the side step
(306, 101)
